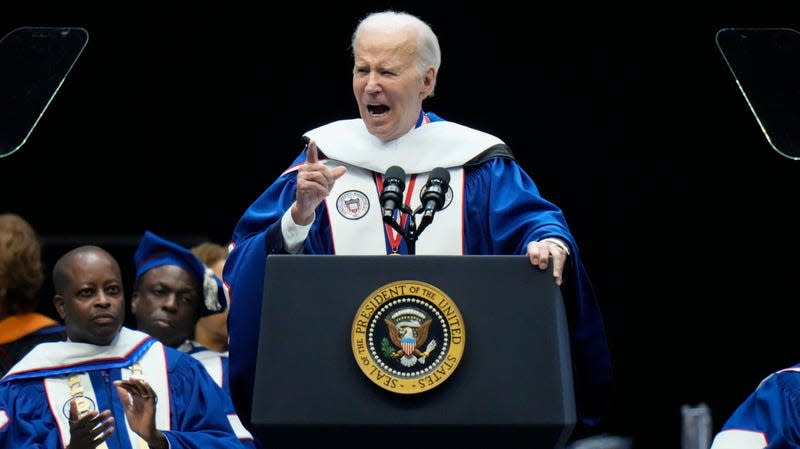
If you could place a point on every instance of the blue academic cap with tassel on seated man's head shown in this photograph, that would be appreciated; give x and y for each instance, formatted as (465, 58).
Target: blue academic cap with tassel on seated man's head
(155, 251)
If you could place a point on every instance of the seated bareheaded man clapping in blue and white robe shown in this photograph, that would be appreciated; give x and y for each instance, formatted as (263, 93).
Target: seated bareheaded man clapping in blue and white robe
(108, 386)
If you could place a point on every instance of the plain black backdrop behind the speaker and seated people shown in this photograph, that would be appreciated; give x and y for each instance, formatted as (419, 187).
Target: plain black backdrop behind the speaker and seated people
(178, 115)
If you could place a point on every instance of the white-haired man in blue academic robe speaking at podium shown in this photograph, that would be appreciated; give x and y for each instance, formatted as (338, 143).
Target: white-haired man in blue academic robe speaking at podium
(331, 201)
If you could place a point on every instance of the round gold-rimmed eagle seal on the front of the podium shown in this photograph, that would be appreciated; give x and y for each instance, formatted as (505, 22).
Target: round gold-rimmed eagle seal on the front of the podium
(408, 337)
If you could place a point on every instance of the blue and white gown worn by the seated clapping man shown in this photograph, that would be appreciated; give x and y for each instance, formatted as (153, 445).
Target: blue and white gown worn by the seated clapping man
(200, 414)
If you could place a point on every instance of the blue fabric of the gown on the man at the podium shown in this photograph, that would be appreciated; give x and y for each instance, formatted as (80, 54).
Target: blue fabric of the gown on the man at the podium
(501, 223)
